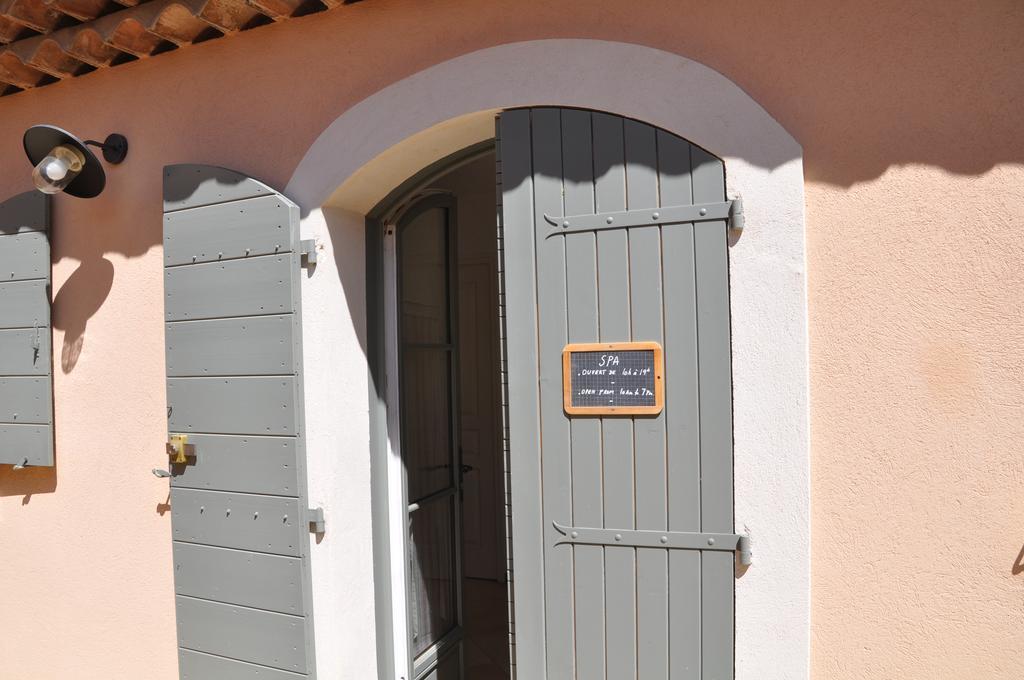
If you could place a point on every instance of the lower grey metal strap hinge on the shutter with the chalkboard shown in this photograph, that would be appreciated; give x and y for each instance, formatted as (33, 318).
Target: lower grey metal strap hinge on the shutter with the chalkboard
(646, 539)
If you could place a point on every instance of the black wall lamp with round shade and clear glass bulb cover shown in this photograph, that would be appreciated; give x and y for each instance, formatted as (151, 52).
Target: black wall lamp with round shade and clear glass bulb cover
(65, 163)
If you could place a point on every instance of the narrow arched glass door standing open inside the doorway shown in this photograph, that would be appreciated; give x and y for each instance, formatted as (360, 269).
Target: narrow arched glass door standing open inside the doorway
(428, 365)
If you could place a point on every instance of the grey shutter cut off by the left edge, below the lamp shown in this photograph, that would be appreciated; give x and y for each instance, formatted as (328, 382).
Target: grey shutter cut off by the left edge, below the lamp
(26, 359)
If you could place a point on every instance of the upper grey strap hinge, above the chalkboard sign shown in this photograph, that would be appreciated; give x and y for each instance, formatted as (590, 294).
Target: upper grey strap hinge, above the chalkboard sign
(733, 211)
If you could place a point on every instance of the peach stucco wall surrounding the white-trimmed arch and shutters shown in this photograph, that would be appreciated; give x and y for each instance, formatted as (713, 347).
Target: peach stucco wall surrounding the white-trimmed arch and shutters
(910, 118)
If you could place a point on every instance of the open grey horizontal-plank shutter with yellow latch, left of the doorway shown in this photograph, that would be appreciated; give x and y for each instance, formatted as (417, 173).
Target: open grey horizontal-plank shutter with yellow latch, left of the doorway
(232, 257)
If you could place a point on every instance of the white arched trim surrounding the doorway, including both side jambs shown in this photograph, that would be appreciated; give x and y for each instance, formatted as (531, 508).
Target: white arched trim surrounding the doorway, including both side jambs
(386, 139)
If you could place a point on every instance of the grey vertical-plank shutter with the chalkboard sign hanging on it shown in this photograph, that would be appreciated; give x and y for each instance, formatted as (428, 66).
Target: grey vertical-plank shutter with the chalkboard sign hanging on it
(615, 607)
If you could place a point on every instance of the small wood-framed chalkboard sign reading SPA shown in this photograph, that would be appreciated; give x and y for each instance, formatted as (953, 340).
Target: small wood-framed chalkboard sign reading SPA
(617, 378)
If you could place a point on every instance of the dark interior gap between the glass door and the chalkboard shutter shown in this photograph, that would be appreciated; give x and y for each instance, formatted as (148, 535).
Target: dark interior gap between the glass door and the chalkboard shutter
(485, 593)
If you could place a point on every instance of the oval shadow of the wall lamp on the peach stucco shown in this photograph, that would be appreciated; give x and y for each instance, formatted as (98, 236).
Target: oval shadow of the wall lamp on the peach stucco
(76, 303)
